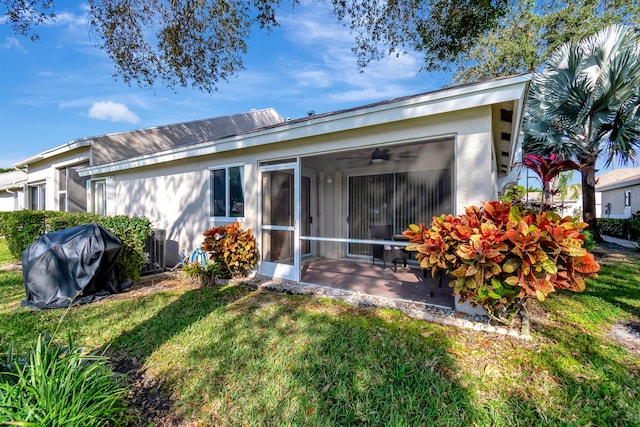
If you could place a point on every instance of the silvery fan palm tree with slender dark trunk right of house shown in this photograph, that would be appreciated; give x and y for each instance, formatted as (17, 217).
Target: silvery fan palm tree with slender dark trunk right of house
(585, 103)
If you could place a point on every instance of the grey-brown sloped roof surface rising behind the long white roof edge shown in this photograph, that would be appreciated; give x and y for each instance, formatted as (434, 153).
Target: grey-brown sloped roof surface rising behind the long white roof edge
(127, 145)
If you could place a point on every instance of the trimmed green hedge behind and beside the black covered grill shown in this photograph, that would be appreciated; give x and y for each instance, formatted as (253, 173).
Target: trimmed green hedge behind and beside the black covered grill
(21, 228)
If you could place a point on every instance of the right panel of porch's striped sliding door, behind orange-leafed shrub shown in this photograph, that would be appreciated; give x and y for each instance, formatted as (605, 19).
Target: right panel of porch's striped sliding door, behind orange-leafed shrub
(422, 195)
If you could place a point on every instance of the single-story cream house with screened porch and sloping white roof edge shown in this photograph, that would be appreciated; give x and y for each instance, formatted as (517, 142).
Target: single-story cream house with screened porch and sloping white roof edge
(310, 189)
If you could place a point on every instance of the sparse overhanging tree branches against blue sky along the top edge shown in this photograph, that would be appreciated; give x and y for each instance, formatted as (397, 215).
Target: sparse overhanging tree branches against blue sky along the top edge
(199, 43)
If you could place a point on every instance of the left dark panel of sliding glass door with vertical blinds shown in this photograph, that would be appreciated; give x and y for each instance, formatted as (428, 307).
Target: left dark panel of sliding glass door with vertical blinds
(370, 203)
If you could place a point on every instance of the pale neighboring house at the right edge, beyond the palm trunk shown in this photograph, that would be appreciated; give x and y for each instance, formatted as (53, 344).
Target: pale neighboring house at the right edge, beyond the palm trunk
(620, 192)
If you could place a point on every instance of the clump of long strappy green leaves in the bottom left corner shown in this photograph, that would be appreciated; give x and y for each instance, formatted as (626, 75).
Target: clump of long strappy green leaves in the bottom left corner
(60, 386)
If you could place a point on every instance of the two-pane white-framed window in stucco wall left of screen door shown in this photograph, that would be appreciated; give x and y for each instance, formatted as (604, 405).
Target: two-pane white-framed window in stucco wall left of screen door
(226, 189)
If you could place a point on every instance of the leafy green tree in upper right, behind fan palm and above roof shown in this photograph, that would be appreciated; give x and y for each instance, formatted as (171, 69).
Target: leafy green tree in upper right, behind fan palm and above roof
(530, 30)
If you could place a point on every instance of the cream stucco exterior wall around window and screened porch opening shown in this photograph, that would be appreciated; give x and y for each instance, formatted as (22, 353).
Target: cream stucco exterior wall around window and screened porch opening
(174, 195)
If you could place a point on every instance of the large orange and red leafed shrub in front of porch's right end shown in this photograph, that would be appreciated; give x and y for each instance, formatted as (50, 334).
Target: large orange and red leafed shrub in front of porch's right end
(500, 255)
